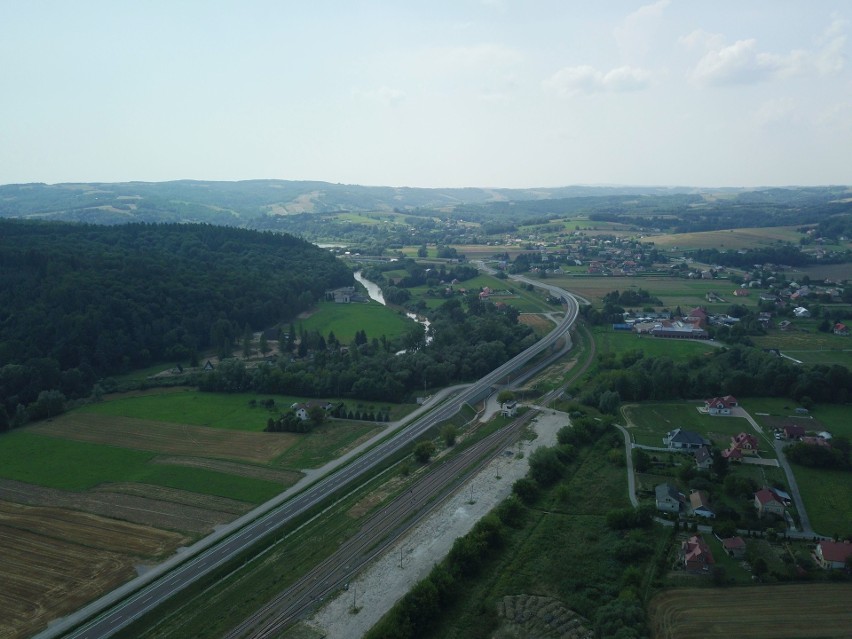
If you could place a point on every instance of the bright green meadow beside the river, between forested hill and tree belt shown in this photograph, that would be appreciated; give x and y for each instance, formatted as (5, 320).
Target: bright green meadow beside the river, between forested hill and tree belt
(344, 320)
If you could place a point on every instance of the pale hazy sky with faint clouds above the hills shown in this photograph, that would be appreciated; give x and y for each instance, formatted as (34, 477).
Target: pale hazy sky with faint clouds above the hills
(437, 93)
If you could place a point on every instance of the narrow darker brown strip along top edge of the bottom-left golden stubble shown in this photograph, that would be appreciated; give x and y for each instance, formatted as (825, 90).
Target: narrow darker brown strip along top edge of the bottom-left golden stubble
(92, 531)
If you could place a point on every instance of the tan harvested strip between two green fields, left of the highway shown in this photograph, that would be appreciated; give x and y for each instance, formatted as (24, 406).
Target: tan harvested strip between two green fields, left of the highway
(167, 438)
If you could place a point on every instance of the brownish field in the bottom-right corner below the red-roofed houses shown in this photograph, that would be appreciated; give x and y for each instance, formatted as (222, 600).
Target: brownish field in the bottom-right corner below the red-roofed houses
(816, 611)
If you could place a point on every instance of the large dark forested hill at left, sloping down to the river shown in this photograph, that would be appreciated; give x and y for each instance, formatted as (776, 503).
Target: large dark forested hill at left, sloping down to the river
(81, 301)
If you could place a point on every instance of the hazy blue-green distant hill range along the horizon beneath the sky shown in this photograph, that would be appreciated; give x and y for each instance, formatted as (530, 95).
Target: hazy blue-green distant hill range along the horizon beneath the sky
(239, 203)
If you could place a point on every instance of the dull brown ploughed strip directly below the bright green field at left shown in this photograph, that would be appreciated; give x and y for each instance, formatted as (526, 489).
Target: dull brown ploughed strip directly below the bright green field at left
(140, 510)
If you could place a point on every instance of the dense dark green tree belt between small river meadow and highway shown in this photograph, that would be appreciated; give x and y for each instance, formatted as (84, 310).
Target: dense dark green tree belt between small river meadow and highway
(470, 337)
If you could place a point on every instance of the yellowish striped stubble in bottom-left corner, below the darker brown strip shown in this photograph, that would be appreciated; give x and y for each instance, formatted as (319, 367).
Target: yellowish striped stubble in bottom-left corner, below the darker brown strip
(45, 578)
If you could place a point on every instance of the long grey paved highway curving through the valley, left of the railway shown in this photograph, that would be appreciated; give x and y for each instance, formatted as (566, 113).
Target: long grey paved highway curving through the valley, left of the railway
(113, 617)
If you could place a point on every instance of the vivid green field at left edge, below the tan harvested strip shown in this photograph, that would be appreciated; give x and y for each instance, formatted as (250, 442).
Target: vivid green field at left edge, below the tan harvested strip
(78, 466)
